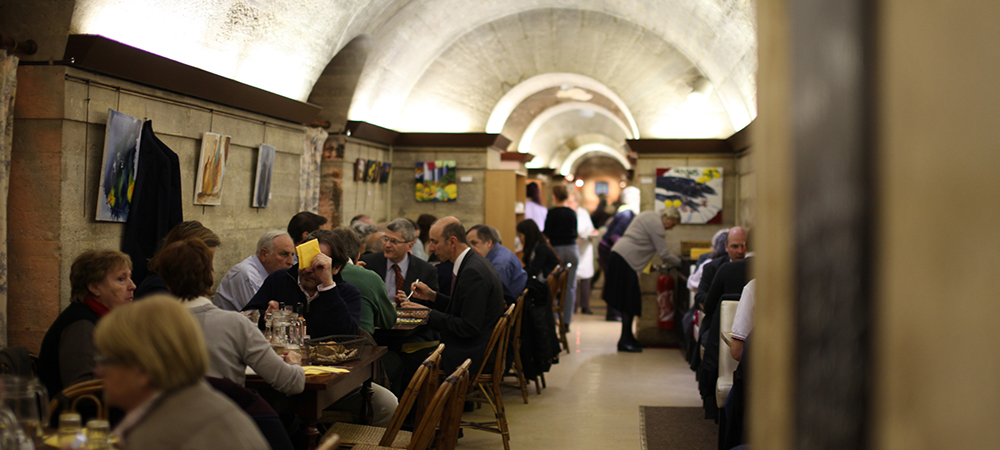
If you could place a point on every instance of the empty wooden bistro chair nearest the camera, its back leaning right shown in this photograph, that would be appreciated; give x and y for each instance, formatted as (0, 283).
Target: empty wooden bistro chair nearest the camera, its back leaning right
(445, 398)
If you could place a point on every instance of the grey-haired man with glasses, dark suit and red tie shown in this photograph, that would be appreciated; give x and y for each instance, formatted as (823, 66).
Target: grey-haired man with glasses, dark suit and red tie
(397, 267)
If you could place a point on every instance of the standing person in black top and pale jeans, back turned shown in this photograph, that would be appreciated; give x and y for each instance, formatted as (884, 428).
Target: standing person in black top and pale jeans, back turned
(561, 229)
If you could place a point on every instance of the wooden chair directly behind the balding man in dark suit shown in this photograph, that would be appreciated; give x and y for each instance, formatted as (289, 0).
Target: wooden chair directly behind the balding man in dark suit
(488, 384)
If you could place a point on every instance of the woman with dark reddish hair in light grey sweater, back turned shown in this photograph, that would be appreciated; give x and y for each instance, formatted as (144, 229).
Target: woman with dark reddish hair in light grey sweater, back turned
(233, 341)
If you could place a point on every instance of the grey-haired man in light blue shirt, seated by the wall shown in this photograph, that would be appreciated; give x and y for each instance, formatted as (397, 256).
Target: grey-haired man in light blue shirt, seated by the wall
(274, 252)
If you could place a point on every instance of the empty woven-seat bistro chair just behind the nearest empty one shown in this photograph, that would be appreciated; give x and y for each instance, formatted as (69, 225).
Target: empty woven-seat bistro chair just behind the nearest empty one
(392, 436)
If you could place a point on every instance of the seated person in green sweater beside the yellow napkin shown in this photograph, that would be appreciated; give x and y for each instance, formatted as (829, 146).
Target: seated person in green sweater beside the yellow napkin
(377, 310)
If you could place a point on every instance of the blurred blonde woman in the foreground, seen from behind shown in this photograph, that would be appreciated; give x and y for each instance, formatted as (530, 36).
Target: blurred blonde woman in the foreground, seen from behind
(153, 361)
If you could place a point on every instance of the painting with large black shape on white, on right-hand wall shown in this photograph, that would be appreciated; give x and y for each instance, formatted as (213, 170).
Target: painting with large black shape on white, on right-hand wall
(695, 191)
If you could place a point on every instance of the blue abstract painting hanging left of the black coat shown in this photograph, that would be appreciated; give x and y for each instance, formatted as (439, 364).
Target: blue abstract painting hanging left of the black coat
(118, 167)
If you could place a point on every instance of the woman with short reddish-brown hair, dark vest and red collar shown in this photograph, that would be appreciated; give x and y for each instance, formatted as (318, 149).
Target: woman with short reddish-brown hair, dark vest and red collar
(100, 281)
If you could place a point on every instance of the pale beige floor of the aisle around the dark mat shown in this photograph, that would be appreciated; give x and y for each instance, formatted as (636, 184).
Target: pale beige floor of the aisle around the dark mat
(593, 395)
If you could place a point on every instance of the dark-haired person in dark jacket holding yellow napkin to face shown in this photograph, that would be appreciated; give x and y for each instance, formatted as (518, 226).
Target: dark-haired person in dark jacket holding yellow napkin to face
(329, 305)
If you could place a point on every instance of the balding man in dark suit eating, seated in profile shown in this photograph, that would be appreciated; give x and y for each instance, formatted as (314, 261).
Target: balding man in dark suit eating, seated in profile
(466, 318)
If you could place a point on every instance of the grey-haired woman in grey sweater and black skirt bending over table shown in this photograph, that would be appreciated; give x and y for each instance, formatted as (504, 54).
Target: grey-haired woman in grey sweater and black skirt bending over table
(645, 237)
